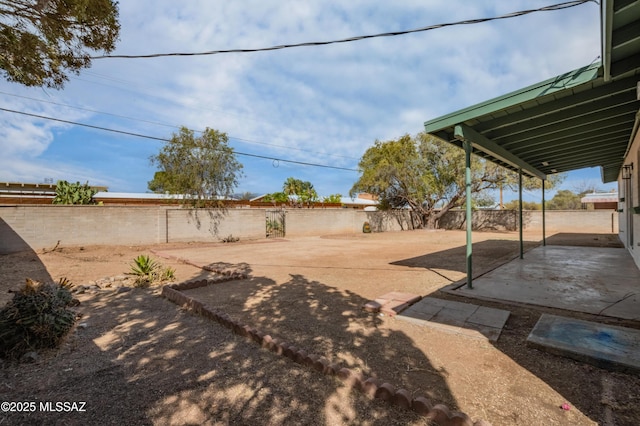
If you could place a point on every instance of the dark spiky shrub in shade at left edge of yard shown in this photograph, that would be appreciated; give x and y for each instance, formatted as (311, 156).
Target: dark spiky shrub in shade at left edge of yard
(38, 316)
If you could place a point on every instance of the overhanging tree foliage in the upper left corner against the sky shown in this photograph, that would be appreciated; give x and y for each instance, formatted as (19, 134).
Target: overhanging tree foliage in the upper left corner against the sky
(42, 41)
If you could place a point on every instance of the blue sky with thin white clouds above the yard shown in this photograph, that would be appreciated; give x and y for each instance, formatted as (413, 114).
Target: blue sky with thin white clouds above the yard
(322, 105)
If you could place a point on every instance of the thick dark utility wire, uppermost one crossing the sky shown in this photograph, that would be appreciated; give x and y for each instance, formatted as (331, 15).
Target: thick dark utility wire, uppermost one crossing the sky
(554, 7)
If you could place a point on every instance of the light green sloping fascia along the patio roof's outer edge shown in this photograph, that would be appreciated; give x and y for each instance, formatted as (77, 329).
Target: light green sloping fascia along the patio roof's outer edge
(547, 87)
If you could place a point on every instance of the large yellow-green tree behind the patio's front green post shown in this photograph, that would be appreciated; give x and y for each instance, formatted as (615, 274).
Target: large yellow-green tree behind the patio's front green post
(423, 174)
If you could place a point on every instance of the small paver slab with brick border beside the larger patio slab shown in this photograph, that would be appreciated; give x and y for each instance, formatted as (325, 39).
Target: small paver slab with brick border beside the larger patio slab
(459, 318)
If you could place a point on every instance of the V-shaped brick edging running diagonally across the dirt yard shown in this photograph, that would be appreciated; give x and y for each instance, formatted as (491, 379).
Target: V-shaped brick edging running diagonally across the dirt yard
(370, 386)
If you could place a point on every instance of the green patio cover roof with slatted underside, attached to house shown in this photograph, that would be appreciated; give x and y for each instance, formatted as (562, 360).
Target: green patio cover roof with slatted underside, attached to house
(584, 118)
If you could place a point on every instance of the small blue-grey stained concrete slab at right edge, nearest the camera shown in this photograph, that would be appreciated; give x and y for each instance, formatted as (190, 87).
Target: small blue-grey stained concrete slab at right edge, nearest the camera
(605, 346)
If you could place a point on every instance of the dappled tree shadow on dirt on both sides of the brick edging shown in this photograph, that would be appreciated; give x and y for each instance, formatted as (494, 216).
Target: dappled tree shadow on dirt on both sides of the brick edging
(139, 359)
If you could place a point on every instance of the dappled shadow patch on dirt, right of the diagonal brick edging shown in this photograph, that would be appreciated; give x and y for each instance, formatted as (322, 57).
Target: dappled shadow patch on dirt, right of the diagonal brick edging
(330, 322)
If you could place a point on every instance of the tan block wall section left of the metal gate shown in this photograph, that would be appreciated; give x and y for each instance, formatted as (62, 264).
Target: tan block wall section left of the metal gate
(42, 226)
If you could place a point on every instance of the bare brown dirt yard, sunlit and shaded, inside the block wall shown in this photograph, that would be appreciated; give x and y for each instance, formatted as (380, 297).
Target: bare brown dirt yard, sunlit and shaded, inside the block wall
(134, 358)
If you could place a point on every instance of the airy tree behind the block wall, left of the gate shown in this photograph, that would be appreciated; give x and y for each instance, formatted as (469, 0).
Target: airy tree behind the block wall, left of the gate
(204, 168)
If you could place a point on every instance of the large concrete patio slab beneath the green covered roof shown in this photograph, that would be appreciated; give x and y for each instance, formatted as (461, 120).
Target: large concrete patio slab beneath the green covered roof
(596, 280)
